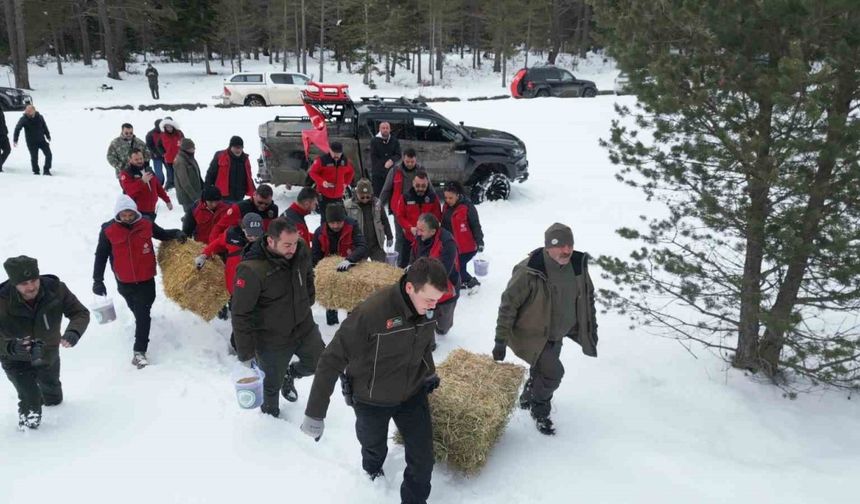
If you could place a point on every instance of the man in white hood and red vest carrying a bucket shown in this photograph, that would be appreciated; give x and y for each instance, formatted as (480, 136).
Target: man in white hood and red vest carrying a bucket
(126, 241)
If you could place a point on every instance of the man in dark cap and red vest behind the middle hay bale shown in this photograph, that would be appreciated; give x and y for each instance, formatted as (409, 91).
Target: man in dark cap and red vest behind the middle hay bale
(338, 235)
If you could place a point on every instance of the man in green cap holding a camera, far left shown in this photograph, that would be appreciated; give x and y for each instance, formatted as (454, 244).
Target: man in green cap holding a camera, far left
(32, 307)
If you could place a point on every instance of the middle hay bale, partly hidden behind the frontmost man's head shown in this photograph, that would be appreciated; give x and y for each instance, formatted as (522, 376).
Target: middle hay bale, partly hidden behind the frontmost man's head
(346, 290)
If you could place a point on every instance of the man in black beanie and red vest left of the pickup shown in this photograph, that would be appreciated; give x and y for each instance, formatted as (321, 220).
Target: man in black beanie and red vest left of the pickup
(230, 172)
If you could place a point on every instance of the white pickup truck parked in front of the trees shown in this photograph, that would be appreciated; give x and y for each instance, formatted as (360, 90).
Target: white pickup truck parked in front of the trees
(257, 89)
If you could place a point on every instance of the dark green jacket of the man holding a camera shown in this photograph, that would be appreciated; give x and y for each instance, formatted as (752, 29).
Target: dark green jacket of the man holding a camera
(19, 320)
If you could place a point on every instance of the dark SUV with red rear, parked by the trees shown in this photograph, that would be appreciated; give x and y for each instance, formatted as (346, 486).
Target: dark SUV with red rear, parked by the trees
(538, 82)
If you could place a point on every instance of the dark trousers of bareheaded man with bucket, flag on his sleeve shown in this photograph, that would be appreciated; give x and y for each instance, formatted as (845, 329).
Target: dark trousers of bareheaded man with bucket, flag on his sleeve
(306, 344)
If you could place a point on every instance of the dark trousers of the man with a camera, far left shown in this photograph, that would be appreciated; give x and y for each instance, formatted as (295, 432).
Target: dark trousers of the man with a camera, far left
(36, 385)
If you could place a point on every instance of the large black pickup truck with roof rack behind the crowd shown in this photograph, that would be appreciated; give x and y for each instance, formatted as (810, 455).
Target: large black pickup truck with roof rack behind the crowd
(485, 161)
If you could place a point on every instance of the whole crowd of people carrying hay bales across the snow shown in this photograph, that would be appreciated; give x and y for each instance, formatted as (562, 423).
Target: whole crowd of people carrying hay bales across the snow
(382, 353)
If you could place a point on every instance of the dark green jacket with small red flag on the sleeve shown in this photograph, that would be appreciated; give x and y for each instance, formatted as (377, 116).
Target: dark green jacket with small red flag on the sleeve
(271, 296)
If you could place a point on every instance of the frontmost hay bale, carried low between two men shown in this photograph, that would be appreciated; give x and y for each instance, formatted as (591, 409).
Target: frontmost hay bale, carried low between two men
(471, 408)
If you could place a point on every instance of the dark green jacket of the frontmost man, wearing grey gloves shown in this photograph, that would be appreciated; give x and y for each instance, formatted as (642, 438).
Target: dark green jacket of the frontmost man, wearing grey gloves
(384, 347)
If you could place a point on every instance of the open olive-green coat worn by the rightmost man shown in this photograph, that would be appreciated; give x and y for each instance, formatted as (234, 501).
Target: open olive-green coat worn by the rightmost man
(525, 310)
